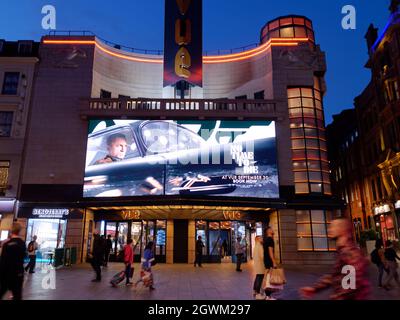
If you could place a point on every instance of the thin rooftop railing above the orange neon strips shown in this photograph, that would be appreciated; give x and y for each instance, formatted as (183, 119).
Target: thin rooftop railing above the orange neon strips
(148, 51)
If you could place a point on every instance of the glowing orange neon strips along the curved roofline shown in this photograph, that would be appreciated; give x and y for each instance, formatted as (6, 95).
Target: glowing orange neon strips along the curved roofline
(289, 42)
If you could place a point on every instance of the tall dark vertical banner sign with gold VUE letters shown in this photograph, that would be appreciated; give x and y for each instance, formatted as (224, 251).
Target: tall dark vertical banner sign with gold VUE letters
(183, 47)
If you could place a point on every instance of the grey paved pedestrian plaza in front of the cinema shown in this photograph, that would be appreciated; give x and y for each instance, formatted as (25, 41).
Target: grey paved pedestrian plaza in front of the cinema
(175, 282)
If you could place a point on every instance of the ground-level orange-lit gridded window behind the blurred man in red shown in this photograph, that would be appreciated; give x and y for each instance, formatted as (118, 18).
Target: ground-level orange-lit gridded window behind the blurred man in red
(312, 230)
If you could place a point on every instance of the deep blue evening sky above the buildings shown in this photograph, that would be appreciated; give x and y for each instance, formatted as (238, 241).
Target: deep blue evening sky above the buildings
(227, 24)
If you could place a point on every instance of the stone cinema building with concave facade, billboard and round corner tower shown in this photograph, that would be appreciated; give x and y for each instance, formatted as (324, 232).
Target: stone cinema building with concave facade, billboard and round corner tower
(261, 108)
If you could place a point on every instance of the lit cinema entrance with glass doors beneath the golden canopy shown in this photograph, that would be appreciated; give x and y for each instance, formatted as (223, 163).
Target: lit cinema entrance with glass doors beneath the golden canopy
(175, 229)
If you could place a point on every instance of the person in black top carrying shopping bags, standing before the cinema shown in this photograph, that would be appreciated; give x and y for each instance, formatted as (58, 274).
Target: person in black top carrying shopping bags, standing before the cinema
(270, 281)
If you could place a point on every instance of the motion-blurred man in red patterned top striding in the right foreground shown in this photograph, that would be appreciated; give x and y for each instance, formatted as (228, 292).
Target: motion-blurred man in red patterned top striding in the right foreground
(348, 254)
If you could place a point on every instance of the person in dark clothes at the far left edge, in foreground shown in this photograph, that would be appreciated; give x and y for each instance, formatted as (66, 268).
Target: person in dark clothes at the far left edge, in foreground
(12, 264)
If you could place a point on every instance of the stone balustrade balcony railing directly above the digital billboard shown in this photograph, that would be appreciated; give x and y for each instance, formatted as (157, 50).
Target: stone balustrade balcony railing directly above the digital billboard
(170, 106)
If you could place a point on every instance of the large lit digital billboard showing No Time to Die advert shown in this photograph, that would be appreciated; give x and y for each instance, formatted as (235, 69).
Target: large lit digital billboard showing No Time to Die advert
(128, 158)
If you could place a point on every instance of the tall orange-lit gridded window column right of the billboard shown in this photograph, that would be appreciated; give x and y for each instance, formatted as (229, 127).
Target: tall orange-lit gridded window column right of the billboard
(308, 140)
